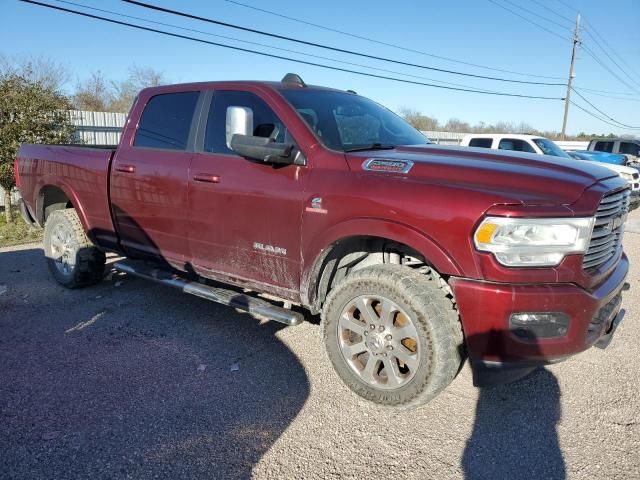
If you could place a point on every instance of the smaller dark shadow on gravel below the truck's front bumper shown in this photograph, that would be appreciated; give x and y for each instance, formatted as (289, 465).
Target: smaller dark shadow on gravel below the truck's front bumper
(514, 433)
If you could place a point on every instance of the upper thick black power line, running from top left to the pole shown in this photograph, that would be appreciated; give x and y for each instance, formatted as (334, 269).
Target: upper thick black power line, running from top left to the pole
(327, 47)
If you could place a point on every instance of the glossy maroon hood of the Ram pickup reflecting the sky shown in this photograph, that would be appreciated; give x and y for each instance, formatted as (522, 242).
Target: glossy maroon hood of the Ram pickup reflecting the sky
(514, 177)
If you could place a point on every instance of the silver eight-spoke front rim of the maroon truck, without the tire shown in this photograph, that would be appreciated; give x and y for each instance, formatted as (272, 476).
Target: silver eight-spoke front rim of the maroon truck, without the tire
(379, 342)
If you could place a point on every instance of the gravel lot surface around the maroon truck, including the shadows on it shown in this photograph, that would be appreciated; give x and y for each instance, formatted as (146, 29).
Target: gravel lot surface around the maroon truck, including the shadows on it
(129, 379)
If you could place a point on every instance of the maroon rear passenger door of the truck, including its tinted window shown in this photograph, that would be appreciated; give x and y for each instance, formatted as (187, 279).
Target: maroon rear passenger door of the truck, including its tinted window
(149, 179)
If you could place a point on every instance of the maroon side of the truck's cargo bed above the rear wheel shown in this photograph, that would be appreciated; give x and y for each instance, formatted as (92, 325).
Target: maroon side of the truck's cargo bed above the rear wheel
(80, 172)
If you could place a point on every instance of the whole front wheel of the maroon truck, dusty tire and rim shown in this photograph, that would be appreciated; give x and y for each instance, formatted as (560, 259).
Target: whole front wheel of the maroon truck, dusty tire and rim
(393, 334)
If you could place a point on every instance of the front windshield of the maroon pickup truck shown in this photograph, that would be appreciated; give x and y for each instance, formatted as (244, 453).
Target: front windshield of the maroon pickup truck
(348, 122)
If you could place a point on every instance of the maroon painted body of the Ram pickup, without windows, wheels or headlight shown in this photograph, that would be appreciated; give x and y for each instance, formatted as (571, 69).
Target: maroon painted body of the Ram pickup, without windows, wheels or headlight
(222, 216)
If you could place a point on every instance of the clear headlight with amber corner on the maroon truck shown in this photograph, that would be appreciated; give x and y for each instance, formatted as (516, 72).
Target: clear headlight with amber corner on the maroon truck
(533, 242)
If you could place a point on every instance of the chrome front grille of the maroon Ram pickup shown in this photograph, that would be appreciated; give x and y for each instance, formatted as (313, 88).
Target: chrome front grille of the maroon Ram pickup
(606, 239)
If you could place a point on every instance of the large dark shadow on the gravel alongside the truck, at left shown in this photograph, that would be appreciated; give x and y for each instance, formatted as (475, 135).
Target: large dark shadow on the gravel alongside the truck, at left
(130, 378)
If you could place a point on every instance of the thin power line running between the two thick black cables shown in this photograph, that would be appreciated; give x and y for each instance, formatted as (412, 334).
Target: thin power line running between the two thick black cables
(266, 46)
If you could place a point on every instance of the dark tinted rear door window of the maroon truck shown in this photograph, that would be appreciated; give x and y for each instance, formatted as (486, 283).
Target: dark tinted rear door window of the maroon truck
(166, 121)
